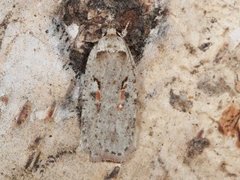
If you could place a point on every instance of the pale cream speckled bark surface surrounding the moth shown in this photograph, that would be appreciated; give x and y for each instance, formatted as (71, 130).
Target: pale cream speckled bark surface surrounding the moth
(187, 79)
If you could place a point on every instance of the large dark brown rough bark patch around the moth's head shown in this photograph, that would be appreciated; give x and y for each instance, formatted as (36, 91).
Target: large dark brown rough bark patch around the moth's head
(93, 17)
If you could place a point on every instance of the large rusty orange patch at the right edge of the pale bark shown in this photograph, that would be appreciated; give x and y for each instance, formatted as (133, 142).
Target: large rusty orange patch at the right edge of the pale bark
(229, 122)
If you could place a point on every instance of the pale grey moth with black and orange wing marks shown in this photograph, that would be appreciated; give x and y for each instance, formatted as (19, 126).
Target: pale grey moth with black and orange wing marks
(108, 115)
